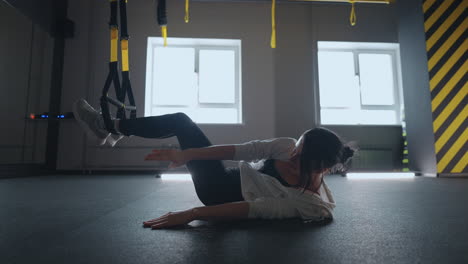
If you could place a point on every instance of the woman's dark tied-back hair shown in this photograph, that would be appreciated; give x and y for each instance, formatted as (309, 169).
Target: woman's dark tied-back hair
(322, 149)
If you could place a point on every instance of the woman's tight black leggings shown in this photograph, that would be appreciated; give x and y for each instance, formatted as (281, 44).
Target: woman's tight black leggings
(214, 183)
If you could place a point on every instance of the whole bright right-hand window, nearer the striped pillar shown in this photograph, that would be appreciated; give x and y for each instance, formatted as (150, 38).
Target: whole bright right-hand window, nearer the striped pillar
(358, 83)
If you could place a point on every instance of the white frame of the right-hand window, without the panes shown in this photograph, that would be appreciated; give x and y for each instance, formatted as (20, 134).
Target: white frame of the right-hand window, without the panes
(357, 48)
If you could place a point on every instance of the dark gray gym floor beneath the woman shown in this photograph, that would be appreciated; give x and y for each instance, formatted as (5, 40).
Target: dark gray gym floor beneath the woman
(98, 219)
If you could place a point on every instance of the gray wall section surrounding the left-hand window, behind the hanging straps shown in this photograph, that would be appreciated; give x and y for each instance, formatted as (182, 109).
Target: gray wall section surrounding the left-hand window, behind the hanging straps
(86, 69)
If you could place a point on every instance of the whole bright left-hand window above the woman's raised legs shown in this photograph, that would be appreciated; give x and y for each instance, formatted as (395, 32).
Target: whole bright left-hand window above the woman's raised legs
(200, 77)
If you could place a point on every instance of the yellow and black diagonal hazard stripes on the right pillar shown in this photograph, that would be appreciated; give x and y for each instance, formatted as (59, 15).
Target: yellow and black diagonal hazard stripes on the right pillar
(446, 24)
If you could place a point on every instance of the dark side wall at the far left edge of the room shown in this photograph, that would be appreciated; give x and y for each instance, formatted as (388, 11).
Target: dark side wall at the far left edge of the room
(25, 52)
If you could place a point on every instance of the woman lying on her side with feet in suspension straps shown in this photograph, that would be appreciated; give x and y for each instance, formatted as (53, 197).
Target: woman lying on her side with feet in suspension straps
(285, 181)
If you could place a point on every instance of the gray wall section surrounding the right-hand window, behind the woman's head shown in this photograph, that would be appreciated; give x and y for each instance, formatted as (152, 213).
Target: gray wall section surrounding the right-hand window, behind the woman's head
(300, 26)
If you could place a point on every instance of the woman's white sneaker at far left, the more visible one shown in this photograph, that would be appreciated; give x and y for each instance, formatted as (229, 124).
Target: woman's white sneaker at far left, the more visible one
(89, 120)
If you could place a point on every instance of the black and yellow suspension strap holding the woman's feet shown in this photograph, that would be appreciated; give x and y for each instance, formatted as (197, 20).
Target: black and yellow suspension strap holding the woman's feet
(121, 91)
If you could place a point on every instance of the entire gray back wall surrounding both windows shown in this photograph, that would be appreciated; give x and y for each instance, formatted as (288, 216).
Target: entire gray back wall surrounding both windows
(278, 85)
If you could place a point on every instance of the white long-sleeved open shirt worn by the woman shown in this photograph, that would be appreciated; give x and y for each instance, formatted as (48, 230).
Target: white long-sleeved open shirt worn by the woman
(266, 196)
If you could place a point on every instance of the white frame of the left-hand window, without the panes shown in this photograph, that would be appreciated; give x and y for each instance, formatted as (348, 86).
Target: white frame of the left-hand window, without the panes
(197, 44)
